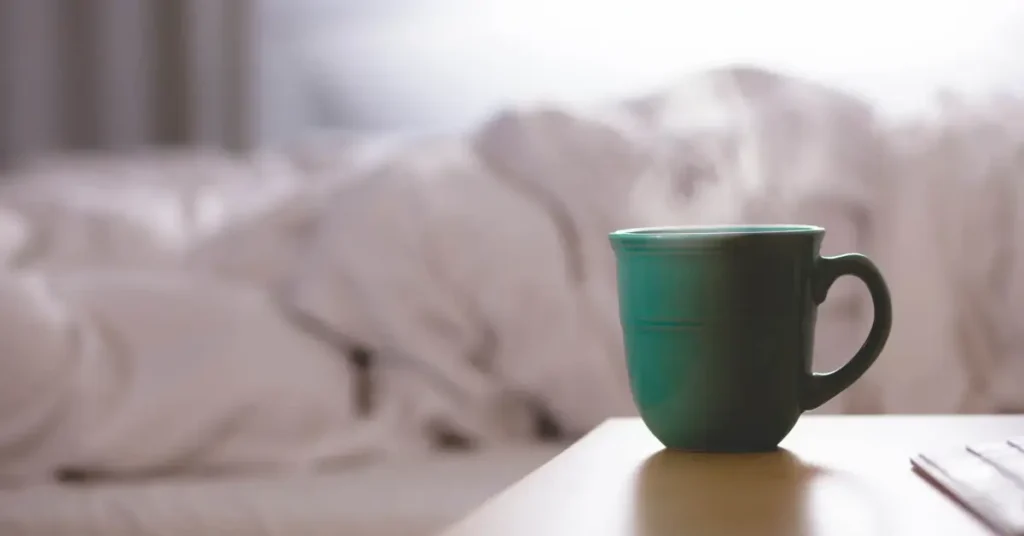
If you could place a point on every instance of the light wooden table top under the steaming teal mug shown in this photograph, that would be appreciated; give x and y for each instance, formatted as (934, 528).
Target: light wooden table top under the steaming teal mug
(835, 476)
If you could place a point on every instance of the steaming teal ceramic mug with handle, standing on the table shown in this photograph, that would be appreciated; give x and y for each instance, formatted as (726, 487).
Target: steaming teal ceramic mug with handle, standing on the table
(718, 324)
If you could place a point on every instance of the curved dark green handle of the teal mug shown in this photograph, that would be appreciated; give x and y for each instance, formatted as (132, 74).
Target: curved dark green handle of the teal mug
(821, 388)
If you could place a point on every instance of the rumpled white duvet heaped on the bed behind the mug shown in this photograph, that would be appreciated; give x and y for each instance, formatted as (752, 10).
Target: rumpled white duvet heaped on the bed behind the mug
(195, 313)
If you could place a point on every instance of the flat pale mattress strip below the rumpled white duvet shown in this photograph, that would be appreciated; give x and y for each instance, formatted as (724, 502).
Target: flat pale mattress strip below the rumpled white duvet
(412, 498)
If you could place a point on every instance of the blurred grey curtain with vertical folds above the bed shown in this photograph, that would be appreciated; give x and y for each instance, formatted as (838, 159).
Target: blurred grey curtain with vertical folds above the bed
(125, 74)
